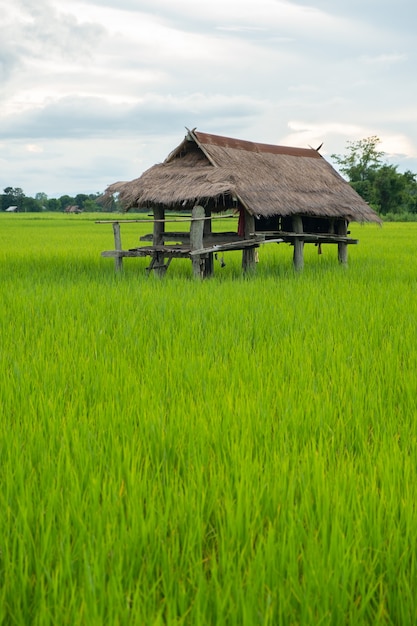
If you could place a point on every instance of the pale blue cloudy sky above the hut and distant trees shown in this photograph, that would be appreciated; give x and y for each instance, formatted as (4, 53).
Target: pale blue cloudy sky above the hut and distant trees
(96, 91)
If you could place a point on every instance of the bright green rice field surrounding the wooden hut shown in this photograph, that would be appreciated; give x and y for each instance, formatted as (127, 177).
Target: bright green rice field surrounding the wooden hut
(240, 450)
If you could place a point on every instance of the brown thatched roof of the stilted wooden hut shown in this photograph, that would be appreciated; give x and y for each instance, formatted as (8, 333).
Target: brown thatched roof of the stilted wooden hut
(267, 180)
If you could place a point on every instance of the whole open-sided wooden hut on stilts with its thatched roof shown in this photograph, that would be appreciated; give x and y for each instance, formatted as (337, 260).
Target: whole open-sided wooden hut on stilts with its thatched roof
(281, 194)
